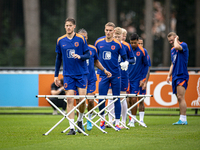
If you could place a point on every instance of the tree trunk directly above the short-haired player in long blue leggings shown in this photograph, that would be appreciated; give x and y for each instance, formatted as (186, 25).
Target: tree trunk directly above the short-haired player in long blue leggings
(112, 11)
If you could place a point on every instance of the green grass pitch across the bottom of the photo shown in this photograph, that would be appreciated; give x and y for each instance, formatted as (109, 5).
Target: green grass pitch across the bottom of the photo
(24, 132)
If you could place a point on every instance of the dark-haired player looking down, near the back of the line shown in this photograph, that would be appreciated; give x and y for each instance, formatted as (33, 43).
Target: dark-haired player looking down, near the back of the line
(136, 72)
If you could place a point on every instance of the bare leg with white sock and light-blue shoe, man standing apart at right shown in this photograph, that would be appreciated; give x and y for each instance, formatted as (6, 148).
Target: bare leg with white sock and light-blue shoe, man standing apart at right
(181, 89)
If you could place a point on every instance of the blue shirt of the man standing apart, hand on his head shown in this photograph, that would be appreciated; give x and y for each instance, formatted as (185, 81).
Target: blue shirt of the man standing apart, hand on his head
(179, 59)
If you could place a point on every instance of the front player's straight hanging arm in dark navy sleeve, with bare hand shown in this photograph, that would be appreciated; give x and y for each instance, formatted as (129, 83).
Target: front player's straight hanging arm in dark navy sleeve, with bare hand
(57, 68)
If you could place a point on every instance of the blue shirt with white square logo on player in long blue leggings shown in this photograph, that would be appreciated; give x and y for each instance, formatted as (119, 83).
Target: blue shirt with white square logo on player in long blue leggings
(108, 55)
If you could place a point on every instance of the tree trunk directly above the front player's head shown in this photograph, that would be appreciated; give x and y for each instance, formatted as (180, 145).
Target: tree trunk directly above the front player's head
(71, 8)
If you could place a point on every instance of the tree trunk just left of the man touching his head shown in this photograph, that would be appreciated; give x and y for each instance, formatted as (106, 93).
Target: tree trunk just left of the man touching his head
(166, 49)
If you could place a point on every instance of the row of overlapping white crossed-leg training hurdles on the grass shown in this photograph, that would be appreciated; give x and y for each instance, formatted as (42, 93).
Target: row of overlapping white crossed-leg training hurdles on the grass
(104, 97)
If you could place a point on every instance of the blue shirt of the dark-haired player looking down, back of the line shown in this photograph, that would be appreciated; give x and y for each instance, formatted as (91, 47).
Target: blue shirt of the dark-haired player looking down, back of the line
(137, 69)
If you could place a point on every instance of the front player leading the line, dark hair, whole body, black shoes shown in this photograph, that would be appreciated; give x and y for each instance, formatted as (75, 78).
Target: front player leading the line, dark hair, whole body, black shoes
(73, 50)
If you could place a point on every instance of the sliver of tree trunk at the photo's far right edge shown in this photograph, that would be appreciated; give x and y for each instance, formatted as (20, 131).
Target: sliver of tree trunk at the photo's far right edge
(197, 33)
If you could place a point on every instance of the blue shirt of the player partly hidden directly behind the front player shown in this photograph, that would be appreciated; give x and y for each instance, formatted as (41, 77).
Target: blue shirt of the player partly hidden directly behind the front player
(90, 63)
